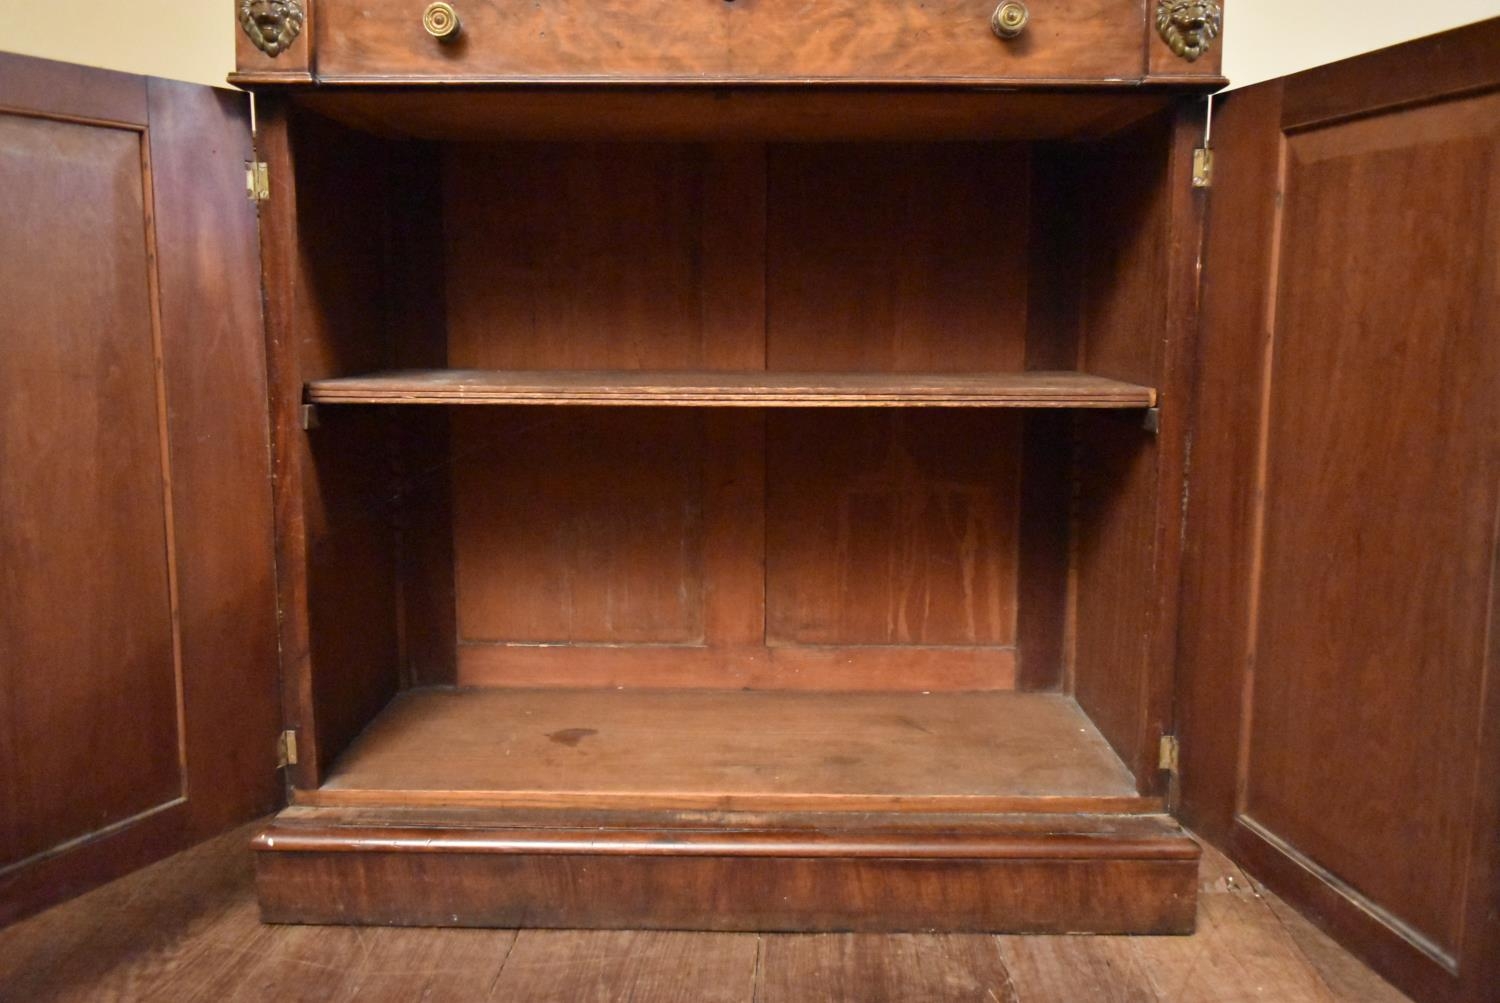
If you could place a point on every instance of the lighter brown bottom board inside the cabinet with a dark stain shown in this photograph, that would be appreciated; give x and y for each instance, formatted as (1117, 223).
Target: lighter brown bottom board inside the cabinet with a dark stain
(733, 750)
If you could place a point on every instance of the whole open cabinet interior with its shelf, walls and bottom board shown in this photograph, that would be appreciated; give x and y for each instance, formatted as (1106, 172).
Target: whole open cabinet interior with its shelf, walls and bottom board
(763, 493)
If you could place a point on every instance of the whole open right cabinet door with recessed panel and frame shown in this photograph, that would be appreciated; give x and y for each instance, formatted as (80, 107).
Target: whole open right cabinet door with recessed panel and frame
(1339, 702)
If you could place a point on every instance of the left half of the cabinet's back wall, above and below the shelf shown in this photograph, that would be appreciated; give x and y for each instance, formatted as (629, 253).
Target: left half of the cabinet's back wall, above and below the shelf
(631, 259)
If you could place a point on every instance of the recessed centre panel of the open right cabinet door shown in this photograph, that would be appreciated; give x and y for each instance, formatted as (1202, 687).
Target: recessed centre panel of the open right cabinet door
(1420, 677)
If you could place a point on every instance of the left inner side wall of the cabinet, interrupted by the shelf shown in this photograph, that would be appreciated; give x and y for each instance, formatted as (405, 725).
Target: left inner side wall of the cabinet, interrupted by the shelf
(325, 257)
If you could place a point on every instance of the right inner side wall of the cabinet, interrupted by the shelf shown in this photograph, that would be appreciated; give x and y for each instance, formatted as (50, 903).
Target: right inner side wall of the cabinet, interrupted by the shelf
(1138, 319)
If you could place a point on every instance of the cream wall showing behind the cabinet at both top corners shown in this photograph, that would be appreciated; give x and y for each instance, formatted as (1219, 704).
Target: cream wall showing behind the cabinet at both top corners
(194, 40)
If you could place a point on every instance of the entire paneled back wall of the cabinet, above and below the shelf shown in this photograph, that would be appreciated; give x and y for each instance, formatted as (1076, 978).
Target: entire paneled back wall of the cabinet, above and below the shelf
(634, 549)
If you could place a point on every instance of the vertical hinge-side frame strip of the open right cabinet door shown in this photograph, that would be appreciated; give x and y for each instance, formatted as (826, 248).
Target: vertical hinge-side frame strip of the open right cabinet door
(1220, 518)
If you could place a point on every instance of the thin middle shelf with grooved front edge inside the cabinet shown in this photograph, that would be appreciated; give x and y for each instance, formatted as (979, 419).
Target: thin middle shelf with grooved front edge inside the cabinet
(734, 389)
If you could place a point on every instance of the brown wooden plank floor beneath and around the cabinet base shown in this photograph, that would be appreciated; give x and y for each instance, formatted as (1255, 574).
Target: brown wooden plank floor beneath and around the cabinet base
(188, 930)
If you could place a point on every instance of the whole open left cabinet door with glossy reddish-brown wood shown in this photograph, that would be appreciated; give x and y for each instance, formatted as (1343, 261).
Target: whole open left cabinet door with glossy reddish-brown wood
(139, 701)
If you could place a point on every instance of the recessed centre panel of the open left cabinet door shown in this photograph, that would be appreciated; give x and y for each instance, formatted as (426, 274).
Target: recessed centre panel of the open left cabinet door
(88, 635)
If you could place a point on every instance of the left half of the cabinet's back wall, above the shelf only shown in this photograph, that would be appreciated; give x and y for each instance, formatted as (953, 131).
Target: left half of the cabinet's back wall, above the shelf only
(604, 257)
